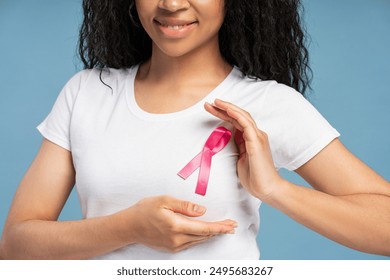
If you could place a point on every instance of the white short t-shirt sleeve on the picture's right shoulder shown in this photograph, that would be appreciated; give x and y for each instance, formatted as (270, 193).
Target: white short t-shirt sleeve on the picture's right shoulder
(296, 130)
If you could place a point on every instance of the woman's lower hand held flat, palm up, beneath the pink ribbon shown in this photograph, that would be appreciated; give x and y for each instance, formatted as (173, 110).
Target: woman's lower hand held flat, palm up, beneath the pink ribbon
(162, 223)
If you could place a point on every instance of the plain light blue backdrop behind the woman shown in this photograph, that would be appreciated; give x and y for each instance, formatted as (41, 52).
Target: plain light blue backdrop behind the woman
(350, 57)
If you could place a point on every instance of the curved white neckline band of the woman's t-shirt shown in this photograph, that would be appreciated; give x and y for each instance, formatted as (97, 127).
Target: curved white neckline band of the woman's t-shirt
(140, 113)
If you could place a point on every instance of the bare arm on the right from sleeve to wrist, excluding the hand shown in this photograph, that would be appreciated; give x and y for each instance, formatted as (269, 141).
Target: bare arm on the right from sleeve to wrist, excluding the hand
(351, 203)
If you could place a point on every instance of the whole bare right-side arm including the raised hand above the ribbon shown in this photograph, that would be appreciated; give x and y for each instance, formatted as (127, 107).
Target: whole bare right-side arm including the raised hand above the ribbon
(350, 203)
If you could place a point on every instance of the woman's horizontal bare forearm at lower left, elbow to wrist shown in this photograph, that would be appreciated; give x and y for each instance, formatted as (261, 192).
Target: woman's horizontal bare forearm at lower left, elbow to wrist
(38, 239)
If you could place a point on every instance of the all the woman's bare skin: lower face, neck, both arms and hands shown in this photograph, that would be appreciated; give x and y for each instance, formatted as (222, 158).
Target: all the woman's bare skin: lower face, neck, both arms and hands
(350, 203)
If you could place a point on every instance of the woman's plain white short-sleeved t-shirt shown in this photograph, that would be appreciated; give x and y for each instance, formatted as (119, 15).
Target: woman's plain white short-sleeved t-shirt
(123, 154)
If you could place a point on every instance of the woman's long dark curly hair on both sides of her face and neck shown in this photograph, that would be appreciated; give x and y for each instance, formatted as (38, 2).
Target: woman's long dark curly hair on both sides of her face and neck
(264, 38)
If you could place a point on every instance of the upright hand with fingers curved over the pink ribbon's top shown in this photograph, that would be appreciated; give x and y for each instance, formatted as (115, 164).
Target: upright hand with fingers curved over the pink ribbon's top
(255, 166)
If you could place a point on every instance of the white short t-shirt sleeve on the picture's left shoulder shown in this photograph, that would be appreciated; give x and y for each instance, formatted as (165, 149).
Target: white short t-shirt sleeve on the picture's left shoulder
(56, 126)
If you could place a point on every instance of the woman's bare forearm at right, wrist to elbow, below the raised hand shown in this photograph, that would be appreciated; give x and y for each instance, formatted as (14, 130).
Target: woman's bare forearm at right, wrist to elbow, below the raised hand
(360, 221)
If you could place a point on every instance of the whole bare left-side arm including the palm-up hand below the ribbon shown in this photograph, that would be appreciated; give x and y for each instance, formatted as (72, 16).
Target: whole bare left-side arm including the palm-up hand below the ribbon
(33, 232)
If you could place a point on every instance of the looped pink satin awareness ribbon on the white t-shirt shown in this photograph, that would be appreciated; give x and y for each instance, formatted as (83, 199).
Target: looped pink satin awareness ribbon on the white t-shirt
(217, 140)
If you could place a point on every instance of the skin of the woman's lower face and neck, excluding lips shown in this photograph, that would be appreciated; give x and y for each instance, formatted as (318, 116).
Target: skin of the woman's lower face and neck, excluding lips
(169, 77)
